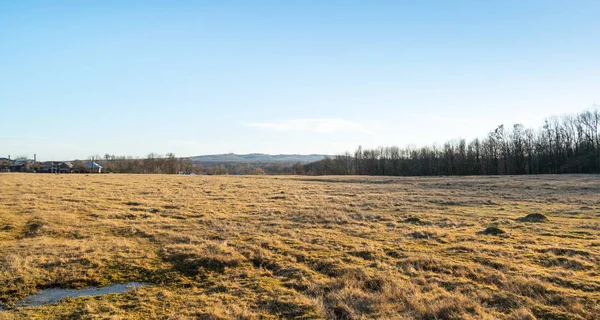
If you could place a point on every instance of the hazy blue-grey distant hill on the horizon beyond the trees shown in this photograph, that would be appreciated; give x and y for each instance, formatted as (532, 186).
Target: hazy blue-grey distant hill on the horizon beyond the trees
(256, 158)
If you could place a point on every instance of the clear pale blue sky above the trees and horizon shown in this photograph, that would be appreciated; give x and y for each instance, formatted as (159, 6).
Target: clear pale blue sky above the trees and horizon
(79, 78)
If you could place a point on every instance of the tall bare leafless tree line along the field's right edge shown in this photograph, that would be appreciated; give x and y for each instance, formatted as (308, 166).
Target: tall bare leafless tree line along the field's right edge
(567, 144)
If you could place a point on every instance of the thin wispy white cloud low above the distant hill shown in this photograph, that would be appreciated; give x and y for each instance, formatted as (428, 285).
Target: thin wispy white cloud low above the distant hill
(312, 125)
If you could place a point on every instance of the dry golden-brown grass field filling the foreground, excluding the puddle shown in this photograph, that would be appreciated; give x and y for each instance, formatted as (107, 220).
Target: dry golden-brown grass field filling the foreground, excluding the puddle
(242, 247)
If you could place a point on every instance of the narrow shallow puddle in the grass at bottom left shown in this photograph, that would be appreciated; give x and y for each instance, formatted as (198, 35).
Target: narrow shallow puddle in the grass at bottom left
(51, 296)
